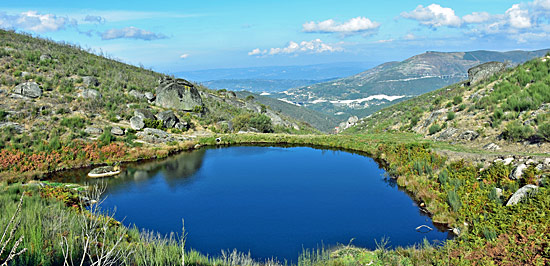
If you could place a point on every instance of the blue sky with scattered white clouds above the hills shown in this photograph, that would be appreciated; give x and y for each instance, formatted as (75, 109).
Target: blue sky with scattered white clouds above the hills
(171, 36)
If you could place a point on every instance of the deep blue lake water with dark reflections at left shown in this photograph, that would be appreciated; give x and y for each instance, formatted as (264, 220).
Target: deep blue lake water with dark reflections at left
(271, 201)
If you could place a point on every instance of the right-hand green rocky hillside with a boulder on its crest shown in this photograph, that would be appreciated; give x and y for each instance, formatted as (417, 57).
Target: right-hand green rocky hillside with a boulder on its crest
(505, 111)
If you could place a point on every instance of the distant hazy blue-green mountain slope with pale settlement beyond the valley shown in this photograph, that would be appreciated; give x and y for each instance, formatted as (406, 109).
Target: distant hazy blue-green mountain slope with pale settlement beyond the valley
(389, 83)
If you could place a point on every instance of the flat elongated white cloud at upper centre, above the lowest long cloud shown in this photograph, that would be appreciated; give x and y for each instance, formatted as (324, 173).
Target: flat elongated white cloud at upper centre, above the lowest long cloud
(354, 25)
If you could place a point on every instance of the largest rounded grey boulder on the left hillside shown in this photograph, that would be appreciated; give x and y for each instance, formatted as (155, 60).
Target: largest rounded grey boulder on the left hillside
(177, 94)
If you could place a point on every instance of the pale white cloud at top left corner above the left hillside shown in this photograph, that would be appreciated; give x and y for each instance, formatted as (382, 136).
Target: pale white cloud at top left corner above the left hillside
(34, 21)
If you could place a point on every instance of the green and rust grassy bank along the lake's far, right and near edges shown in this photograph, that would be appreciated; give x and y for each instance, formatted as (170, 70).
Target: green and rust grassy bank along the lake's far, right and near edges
(455, 193)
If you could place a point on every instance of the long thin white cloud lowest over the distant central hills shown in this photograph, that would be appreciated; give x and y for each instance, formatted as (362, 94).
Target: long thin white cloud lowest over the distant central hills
(313, 47)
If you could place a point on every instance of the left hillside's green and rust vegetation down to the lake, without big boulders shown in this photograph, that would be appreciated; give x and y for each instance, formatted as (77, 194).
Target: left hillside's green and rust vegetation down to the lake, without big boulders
(84, 96)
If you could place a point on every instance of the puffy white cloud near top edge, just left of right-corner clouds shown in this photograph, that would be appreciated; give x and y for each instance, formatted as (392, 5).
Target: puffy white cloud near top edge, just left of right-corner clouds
(434, 15)
